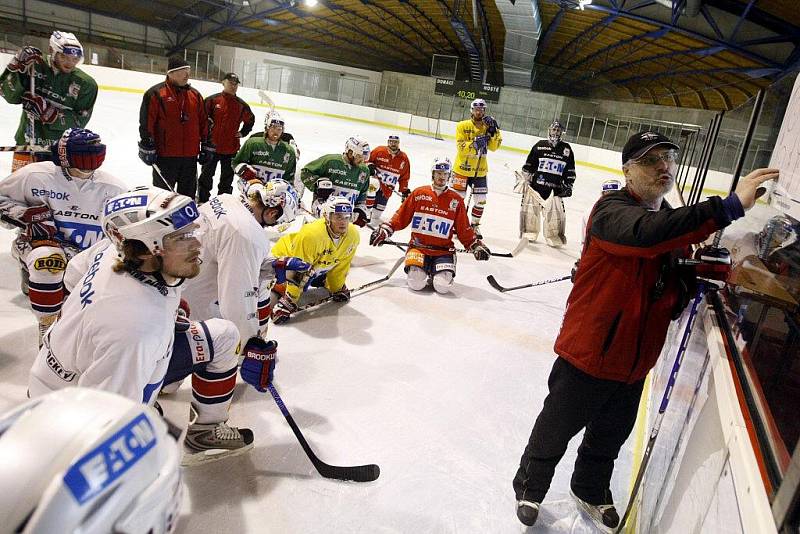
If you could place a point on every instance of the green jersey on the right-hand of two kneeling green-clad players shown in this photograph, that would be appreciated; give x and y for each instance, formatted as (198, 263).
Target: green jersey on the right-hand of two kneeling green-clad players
(350, 181)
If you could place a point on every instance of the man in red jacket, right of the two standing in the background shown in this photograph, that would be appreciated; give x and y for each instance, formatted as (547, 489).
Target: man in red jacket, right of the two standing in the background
(226, 113)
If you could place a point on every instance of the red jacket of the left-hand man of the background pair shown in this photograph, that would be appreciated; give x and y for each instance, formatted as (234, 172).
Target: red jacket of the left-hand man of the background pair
(160, 119)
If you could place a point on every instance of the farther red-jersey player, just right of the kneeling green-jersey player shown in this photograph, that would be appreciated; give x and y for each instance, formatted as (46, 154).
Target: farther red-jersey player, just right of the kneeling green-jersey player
(391, 167)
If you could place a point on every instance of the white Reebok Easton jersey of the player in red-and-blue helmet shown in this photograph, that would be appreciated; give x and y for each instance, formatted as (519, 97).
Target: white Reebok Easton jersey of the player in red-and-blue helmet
(76, 204)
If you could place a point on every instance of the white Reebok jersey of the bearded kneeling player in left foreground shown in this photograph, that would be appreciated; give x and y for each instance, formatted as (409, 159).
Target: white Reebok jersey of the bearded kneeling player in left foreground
(115, 332)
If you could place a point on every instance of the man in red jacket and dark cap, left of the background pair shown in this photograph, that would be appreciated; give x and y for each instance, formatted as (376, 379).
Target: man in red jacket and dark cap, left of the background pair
(173, 131)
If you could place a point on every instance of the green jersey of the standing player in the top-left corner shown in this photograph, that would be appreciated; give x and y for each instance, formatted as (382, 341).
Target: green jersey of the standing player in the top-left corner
(73, 94)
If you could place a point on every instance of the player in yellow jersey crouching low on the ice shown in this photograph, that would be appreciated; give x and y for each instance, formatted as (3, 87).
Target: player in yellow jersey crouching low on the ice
(328, 244)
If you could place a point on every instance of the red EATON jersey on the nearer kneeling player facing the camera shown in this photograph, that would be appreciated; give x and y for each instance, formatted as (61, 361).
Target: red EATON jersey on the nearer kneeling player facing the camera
(434, 218)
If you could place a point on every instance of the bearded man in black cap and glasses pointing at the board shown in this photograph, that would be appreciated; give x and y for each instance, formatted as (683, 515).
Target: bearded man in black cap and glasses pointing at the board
(613, 332)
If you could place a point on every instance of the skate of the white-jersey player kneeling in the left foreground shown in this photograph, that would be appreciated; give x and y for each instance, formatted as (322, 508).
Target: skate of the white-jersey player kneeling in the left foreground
(211, 442)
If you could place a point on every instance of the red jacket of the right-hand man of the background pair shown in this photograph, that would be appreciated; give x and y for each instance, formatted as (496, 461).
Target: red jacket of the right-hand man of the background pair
(225, 113)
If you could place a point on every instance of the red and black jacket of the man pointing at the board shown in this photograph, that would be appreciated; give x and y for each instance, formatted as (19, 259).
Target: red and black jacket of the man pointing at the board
(615, 322)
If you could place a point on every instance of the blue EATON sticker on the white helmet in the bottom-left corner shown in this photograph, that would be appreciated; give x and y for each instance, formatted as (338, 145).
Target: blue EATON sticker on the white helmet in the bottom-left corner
(100, 467)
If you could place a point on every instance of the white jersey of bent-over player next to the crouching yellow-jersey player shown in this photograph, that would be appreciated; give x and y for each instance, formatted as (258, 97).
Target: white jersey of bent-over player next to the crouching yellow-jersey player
(234, 249)
